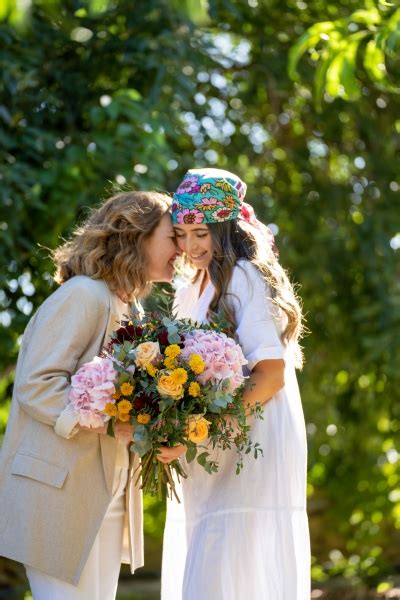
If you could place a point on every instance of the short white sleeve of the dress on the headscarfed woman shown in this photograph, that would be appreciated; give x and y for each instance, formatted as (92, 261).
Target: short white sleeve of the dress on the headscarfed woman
(257, 324)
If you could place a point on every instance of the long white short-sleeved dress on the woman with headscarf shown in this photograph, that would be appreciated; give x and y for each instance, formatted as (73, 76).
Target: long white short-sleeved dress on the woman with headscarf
(244, 537)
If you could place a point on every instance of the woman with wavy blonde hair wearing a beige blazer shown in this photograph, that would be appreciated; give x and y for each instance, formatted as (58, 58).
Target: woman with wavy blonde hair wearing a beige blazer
(70, 511)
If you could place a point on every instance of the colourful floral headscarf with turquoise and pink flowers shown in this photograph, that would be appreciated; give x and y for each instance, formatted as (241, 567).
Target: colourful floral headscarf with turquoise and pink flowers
(208, 196)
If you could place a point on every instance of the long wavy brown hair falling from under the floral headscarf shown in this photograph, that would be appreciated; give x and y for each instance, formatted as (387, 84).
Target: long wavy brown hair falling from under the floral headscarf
(234, 240)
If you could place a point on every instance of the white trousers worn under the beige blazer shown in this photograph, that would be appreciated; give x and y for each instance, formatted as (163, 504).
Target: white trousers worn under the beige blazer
(99, 578)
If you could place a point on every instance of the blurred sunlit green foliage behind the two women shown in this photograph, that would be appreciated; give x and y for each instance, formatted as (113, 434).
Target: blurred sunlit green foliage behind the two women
(301, 99)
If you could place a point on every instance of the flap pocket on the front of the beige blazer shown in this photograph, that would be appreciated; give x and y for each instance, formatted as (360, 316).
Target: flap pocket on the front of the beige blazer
(40, 469)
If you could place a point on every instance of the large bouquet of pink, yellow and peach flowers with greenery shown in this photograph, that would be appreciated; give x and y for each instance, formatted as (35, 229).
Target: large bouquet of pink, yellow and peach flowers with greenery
(176, 382)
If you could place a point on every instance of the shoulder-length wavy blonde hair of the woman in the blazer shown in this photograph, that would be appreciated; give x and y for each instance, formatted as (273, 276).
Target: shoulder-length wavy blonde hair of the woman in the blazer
(111, 243)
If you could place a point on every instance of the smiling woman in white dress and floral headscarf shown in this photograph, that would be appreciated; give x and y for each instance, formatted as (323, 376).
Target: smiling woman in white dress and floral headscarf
(241, 537)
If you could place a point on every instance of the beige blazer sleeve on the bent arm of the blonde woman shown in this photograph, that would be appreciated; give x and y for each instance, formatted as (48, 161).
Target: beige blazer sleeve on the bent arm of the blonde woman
(64, 326)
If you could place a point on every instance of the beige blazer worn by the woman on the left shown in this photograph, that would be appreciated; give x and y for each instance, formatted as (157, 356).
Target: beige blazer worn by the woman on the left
(55, 487)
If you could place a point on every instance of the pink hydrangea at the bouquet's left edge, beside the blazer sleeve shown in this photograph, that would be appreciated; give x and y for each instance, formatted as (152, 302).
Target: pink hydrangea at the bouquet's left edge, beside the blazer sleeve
(92, 388)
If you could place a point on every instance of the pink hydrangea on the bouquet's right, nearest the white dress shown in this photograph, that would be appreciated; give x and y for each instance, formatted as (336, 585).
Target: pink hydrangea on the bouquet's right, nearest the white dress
(222, 356)
